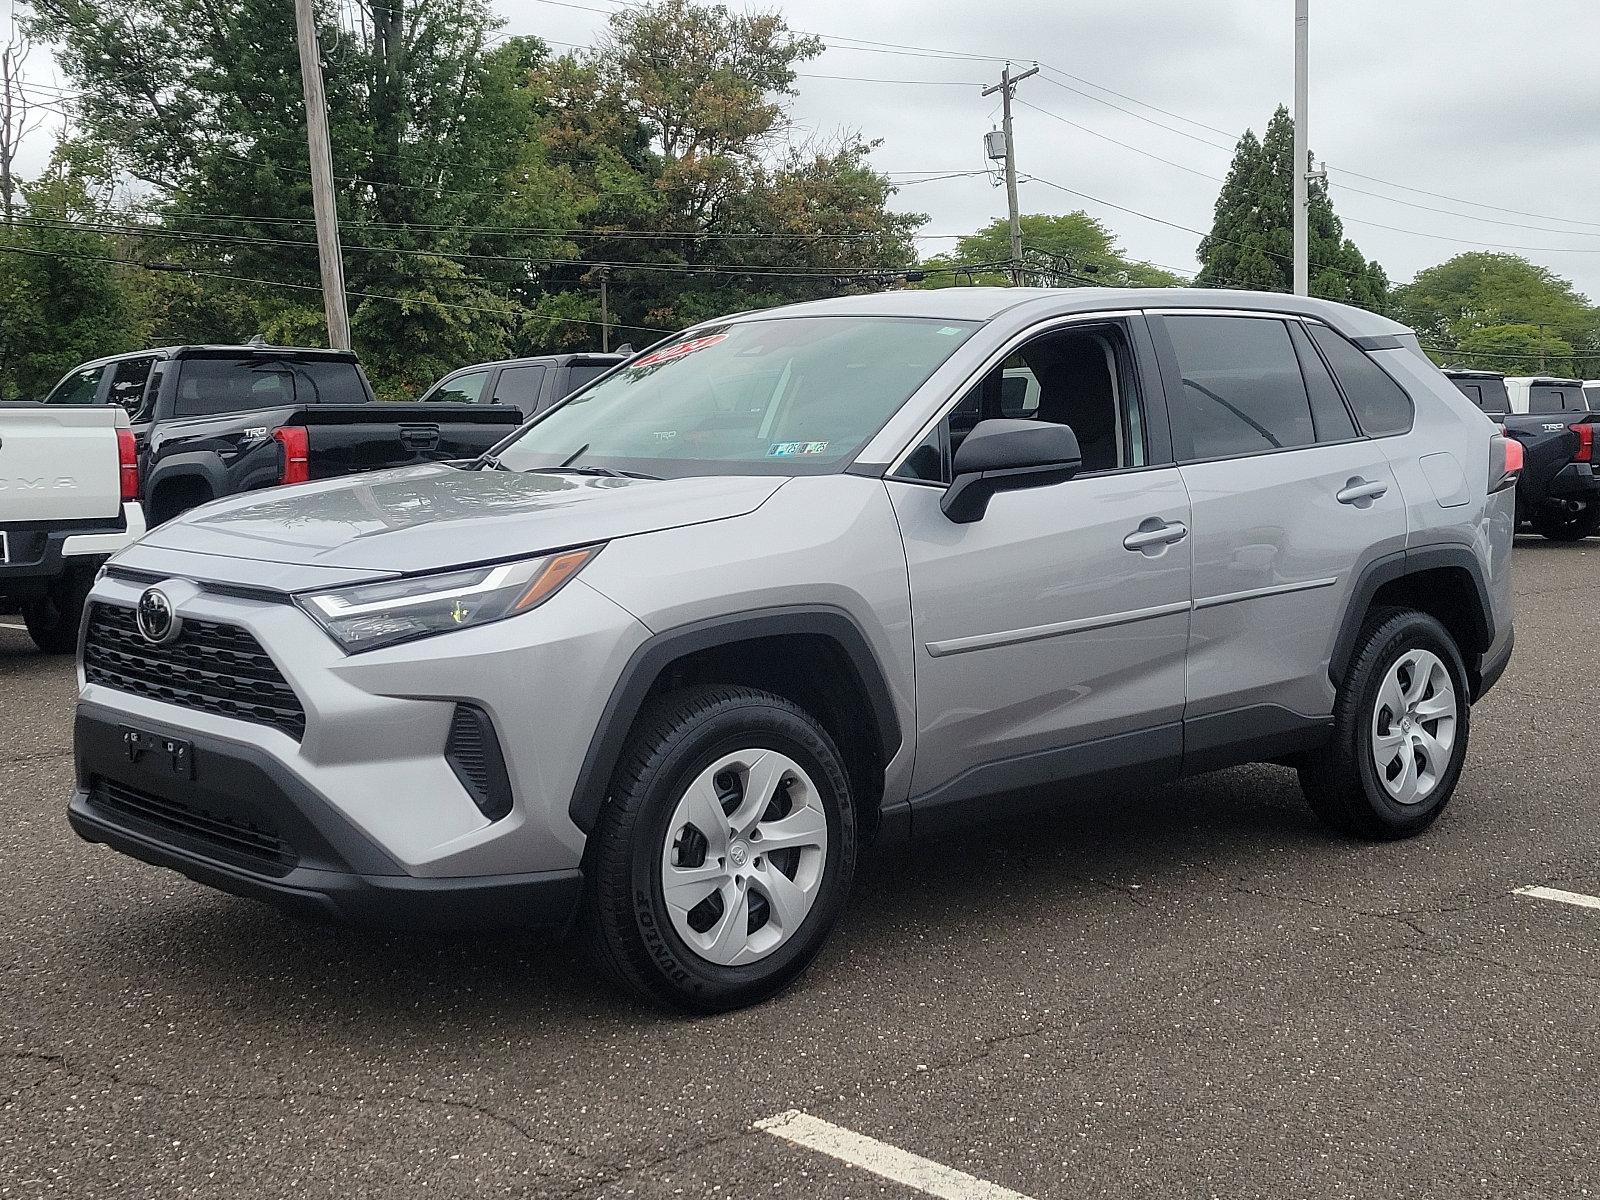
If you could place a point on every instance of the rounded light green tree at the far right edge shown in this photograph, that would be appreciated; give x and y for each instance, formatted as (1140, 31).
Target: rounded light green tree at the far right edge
(1482, 305)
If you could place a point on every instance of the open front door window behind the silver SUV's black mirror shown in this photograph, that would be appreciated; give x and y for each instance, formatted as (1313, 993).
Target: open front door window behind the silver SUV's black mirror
(1081, 378)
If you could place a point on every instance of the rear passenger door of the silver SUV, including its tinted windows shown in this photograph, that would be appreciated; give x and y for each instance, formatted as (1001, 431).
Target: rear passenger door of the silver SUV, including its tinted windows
(1289, 500)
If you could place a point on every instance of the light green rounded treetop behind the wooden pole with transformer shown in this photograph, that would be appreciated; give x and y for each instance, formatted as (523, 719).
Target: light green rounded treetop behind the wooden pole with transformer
(1063, 250)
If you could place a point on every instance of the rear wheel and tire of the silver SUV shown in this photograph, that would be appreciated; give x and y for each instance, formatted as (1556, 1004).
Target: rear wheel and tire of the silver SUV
(1343, 782)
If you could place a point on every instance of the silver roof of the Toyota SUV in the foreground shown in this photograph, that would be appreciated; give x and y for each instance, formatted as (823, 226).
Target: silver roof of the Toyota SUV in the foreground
(983, 305)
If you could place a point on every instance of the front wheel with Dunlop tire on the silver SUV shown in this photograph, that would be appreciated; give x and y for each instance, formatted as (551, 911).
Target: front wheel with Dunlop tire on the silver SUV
(694, 750)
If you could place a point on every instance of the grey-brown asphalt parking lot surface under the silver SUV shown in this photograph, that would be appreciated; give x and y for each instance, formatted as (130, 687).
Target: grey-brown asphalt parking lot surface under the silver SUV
(1193, 991)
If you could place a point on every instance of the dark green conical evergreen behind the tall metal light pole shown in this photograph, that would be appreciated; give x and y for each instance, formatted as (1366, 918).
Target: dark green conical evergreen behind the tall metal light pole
(1252, 241)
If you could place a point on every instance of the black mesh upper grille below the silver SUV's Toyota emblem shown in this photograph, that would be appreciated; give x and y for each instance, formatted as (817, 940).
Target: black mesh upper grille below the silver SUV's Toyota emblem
(209, 666)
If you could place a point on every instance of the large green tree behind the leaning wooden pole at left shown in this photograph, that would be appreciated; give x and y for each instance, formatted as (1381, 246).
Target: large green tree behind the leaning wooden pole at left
(433, 134)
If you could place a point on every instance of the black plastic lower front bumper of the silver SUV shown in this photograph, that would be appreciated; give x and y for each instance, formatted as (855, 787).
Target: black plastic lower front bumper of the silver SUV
(230, 817)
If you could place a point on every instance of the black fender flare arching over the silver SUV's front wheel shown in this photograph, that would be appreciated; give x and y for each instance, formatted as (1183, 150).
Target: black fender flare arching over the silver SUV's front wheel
(662, 650)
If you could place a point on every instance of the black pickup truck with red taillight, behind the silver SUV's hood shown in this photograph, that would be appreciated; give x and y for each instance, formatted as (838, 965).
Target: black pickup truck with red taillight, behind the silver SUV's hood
(214, 422)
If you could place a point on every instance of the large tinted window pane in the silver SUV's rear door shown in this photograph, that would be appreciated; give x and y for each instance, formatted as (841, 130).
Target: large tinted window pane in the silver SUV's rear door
(1242, 388)
